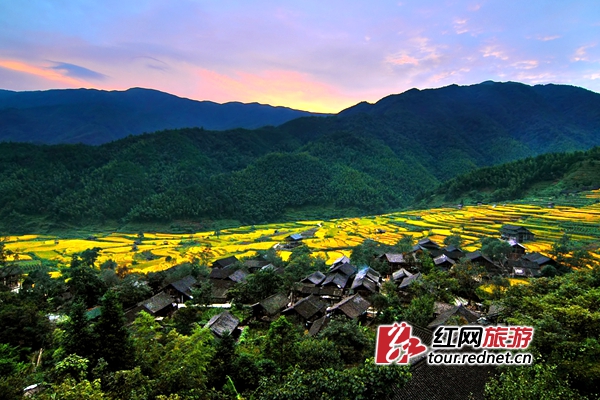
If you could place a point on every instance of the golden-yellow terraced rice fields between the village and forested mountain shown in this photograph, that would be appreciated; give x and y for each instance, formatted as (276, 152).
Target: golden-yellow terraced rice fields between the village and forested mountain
(331, 240)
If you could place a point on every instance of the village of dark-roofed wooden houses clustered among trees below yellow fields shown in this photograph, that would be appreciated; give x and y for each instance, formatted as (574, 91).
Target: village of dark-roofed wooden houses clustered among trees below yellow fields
(346, 290)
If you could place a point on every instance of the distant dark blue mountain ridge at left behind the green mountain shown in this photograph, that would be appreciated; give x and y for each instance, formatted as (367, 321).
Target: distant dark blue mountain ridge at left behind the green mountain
(96, 116)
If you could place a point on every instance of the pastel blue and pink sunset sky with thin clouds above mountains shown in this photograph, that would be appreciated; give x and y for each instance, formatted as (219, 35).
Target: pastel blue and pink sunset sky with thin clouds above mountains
(321, 56)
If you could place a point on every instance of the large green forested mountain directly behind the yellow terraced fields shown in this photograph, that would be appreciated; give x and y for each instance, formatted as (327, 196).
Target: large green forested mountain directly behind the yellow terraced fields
(367, 159)
